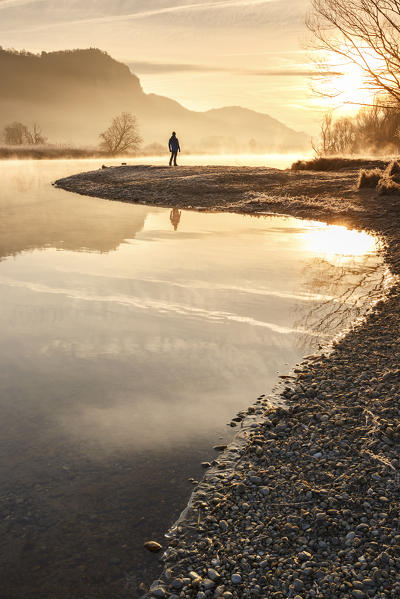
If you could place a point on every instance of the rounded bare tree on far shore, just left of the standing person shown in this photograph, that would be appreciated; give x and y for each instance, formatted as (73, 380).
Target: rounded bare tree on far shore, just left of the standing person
(122, 135)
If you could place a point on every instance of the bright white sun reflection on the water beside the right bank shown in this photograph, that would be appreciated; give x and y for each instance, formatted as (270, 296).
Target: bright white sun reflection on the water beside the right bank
(337, 241)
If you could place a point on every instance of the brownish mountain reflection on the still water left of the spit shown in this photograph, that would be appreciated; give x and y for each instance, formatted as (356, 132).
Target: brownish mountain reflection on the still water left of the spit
(35, 215)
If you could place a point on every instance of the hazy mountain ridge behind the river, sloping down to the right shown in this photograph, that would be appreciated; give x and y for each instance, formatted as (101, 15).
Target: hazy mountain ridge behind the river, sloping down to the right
(73, 95)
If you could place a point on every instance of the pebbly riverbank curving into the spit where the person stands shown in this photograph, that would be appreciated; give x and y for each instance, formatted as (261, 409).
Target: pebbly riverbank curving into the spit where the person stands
(311, 506)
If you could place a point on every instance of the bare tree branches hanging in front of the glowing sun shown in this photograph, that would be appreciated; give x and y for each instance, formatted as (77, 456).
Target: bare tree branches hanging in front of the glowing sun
(364, 32)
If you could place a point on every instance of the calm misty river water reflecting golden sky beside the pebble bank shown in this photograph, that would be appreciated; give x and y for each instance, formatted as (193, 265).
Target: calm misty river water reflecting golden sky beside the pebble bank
(131, 335)
